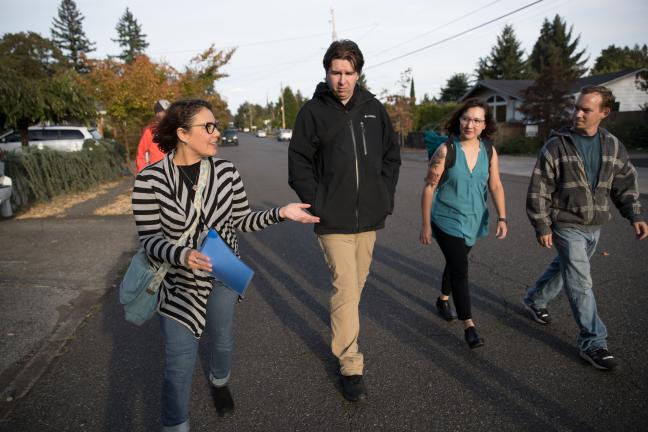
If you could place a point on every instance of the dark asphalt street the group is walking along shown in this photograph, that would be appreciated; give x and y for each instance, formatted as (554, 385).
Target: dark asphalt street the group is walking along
(419, 371)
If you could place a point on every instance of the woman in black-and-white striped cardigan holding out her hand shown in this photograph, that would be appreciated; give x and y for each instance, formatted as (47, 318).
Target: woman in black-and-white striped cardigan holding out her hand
(191, 301)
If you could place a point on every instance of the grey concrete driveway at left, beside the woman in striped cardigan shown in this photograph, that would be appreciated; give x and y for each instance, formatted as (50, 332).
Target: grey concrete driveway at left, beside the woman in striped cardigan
(53, 271)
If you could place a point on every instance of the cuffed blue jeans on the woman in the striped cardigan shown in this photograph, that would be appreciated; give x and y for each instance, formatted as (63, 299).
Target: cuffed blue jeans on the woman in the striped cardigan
(181, 348)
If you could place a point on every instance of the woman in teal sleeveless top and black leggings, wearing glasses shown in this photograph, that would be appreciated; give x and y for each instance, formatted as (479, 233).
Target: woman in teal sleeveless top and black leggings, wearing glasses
(454, 207)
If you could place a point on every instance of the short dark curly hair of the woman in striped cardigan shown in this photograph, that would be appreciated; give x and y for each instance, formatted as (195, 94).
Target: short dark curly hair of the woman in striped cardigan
(178, 115)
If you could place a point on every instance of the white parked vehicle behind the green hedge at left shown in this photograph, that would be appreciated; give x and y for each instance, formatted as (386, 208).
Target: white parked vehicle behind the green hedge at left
(64, 138)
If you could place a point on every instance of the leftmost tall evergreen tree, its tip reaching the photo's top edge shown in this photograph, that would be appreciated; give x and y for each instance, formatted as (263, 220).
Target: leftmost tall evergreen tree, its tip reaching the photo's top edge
(68, 35)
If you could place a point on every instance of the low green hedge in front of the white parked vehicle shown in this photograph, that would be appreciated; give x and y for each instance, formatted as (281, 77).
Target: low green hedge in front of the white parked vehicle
(40, 175)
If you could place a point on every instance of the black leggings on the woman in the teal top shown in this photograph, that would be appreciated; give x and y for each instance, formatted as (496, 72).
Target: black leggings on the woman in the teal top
(455, 274)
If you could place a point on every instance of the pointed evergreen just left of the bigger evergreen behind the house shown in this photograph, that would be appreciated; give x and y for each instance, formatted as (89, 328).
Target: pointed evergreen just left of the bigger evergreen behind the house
(505, 60)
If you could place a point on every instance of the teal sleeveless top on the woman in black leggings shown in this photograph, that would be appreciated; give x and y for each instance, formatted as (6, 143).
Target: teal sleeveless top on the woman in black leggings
(459, 208)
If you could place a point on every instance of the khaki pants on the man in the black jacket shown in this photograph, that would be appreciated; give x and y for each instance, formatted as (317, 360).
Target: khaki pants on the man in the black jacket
(348, 257)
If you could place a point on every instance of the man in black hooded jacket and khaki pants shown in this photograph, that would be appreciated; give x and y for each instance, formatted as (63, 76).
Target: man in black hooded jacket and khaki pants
(343, 161)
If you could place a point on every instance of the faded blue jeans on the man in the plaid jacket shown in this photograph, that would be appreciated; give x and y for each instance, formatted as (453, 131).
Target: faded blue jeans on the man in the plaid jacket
(571, 270)
